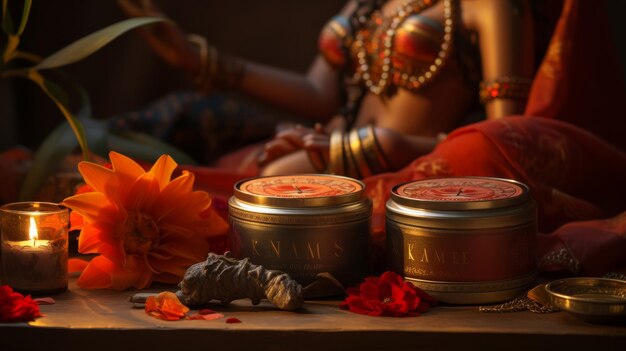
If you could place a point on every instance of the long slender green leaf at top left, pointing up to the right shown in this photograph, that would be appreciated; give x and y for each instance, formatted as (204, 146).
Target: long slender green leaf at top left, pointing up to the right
(86, 46)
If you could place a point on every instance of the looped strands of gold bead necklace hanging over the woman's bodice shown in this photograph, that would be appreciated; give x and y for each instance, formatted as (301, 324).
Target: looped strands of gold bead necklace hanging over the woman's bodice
(411, 82)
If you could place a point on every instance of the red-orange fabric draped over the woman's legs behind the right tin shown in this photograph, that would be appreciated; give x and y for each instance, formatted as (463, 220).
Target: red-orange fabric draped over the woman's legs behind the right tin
(568, 147)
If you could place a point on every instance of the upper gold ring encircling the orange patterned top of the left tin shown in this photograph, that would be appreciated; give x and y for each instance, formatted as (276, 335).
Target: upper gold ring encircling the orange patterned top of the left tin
(289, 202)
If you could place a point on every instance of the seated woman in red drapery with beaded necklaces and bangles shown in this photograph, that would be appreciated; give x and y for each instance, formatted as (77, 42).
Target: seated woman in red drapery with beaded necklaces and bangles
(576, 177)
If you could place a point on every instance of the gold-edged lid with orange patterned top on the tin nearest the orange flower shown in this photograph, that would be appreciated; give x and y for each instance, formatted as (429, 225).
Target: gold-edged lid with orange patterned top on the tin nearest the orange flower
(300, 199)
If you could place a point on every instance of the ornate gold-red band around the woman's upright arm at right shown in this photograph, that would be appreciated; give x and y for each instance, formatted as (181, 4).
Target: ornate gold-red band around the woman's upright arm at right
(504, 88)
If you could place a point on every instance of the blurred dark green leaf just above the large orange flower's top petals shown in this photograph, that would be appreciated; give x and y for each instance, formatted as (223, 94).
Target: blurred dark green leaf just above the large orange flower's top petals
(144, 147)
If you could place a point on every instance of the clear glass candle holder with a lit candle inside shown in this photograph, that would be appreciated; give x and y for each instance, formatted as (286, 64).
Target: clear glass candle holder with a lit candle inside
(33, 250)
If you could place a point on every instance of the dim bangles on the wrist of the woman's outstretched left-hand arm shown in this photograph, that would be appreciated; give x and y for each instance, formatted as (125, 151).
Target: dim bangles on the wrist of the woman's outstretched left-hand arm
(217, 70)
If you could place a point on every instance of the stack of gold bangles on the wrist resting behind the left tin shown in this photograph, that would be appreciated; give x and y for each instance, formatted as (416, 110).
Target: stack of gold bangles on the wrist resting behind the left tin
(356, 153)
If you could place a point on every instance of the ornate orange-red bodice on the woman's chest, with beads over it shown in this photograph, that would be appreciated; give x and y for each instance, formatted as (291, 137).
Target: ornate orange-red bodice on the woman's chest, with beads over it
(382, 53)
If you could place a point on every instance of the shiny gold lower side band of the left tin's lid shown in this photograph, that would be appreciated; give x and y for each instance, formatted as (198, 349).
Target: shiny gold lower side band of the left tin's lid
(300, 216)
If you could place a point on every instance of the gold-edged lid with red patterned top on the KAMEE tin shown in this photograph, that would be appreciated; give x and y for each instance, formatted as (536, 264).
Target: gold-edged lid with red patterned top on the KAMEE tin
(461, 203)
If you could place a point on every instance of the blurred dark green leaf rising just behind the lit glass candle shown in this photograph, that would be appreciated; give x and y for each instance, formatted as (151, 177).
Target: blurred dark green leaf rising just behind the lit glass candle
(60, 143)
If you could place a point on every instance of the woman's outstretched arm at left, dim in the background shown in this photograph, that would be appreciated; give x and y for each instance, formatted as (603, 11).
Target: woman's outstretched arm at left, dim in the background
(314, 95)
